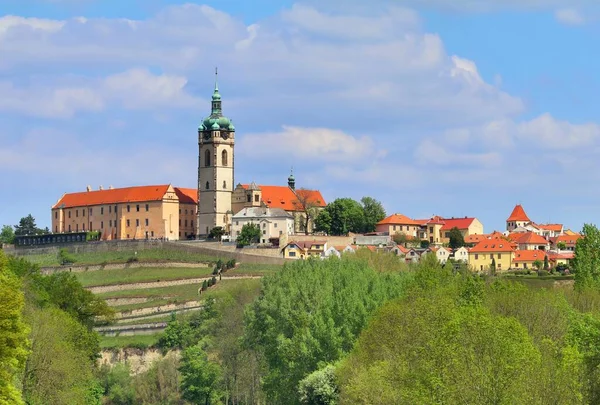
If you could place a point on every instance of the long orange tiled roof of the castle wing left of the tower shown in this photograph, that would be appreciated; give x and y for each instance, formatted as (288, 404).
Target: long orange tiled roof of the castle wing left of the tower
(112, 196)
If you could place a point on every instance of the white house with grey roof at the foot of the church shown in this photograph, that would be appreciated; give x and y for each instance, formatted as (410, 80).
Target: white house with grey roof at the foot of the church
(273, 222)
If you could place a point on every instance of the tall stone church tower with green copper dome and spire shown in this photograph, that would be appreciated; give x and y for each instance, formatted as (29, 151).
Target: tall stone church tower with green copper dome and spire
(216, 137)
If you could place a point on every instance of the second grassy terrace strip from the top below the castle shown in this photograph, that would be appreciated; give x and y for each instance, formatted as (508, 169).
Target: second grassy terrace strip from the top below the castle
(137, 275)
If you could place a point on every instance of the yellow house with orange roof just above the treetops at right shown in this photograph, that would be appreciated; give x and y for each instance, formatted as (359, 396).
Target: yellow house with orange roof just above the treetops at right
(495, 249)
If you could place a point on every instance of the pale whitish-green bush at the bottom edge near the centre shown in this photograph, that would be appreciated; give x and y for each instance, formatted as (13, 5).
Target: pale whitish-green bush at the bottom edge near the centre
(319, 387)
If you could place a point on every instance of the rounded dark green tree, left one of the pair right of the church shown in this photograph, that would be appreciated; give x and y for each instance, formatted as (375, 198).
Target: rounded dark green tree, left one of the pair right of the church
(343, 215)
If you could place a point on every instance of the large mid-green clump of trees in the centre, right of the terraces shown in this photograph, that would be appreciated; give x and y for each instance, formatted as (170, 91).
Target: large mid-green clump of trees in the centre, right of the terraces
(311, 313)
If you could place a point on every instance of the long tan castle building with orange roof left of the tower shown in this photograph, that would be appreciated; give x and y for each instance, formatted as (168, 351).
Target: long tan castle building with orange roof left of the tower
(141, 212)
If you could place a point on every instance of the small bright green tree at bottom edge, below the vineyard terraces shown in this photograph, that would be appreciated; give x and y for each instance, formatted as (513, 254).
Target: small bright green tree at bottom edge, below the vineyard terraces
(200, 378)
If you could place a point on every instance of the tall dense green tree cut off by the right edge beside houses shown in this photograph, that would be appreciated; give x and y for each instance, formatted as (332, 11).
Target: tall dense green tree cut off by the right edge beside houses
(587, 259)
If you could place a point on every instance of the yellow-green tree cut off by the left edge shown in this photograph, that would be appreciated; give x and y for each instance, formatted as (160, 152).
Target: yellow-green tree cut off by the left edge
(13, 334)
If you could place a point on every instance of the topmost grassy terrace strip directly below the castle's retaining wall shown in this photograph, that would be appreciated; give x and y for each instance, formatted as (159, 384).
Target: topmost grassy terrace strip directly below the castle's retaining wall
(159, 254)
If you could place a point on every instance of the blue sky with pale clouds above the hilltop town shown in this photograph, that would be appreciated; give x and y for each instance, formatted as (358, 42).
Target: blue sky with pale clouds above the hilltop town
(434, 109)
